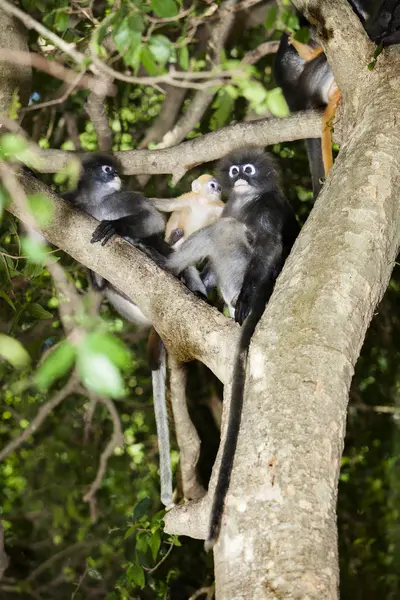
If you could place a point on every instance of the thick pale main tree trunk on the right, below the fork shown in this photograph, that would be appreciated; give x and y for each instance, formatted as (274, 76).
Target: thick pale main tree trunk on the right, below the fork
(279, 538)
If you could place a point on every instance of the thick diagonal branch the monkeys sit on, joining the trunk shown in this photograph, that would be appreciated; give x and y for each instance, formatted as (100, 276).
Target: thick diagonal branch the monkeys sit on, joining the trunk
(162, 298)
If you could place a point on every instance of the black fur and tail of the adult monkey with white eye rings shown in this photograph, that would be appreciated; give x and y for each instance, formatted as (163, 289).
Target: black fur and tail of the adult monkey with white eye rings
(273, 228)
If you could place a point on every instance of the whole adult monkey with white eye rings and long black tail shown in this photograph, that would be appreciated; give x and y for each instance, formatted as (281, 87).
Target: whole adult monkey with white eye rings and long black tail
(246, 250)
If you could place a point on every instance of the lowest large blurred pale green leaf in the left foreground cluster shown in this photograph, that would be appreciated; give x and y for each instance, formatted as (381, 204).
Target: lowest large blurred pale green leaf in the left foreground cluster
(98, 373)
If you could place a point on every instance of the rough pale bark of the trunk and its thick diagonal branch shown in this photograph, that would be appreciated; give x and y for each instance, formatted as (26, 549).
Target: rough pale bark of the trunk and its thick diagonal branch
(278, 537)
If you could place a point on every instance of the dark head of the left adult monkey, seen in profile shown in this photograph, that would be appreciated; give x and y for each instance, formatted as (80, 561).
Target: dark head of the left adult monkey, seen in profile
(100, 171)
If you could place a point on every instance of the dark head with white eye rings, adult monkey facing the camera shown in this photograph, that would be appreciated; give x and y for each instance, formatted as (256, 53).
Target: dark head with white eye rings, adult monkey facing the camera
(247, 171)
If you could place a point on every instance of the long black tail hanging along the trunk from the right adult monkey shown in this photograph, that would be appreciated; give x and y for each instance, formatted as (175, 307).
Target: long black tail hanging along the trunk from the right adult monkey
(235, 410)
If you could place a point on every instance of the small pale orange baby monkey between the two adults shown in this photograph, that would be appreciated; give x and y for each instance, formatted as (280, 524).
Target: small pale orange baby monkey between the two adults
(193, 210)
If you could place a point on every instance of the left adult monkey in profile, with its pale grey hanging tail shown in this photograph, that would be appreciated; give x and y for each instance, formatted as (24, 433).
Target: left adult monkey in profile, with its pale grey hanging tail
(135, 218)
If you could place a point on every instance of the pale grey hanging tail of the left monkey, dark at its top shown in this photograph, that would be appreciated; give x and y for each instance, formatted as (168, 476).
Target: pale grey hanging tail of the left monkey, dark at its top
(157, 357)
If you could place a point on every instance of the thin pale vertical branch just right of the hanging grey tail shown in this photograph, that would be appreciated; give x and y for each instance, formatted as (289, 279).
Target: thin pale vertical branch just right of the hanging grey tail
(186, 434)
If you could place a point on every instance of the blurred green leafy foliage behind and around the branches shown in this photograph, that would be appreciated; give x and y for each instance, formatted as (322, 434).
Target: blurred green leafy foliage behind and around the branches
(114, 547)
